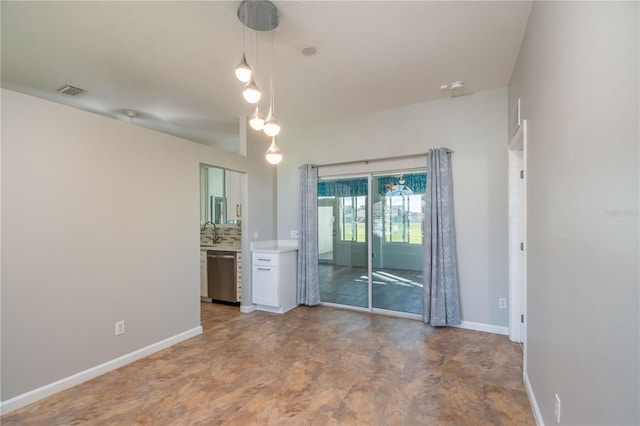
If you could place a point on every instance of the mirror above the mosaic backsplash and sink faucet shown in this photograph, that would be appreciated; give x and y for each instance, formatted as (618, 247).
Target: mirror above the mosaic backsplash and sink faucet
(220, 196)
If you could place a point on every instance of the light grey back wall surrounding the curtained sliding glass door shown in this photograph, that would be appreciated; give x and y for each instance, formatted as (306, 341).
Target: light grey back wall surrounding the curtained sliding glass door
(475, 127)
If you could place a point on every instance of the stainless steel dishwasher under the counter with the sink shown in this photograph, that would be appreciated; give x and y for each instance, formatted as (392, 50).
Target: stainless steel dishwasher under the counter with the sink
(221, 276)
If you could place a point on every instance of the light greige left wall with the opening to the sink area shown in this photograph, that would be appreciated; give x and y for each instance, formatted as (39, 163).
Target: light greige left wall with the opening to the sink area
(100, 223)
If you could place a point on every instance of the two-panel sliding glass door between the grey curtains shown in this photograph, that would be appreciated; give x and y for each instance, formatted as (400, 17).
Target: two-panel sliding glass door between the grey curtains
(370, 231)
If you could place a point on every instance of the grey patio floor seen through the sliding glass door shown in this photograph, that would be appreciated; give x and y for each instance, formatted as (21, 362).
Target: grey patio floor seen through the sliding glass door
(393, 289)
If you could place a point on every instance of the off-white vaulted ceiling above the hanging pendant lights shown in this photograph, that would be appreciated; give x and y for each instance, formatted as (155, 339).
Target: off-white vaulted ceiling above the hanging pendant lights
(173, 62)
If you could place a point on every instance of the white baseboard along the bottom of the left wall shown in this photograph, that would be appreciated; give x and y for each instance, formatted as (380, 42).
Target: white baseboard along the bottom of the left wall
(62, 384)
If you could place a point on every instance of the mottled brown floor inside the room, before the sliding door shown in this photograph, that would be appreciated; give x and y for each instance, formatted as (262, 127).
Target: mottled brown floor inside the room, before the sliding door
(311, 366)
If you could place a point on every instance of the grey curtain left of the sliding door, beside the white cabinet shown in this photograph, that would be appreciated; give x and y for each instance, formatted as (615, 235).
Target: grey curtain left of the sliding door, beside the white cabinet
(308, 283)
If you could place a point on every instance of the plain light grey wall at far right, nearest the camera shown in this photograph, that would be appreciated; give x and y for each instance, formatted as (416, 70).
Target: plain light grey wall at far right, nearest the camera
(577, 77)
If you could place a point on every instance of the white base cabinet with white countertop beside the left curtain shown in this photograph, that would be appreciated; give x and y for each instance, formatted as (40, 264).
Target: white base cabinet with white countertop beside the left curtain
(274, 280)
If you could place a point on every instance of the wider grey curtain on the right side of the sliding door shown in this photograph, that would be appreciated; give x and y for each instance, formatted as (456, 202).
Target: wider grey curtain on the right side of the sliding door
(440, 300)
